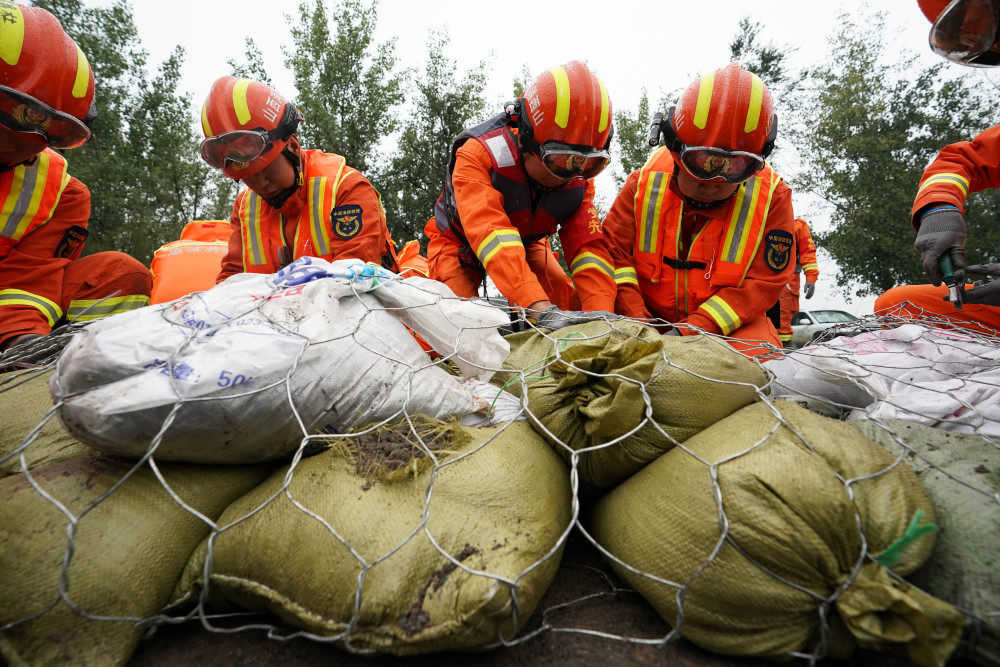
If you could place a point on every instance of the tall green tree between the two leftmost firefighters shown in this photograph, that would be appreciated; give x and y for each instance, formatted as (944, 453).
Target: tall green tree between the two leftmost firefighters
(142, 165)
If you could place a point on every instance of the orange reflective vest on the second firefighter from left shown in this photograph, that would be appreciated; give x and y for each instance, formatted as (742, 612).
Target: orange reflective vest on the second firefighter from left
(262, 226)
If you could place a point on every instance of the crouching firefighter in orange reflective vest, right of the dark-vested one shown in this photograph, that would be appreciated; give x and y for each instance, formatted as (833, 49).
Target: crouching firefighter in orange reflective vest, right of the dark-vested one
(702, 235)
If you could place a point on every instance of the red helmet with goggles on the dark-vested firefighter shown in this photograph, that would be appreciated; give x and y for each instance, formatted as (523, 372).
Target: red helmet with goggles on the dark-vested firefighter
(564, 117)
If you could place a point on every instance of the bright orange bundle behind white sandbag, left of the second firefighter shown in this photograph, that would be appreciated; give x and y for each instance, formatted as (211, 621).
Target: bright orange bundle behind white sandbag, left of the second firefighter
(191, 263)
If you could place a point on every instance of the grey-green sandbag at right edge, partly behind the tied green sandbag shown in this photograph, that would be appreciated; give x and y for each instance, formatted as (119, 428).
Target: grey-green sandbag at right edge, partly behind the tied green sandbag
(962, 475)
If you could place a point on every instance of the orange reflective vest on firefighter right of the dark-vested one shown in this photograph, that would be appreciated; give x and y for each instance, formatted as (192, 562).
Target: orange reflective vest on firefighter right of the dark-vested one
(720, 254)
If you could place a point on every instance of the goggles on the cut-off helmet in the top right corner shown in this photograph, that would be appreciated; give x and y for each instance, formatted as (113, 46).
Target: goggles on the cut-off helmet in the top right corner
(965, 32)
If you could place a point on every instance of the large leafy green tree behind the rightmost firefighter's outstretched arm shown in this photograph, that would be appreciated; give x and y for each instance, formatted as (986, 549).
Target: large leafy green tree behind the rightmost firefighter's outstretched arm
(871, 128)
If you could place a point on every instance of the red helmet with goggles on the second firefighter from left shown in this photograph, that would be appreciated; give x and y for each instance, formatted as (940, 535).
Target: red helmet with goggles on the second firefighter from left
(247, 124)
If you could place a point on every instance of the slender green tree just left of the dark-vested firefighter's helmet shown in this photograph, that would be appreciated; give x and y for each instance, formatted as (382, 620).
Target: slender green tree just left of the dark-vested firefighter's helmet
(446, 102)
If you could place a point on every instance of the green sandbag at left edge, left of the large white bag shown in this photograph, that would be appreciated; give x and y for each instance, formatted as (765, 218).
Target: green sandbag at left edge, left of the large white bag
(26, 401)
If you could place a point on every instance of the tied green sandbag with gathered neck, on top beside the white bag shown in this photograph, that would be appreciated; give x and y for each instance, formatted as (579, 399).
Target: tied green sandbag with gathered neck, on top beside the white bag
(591, 385)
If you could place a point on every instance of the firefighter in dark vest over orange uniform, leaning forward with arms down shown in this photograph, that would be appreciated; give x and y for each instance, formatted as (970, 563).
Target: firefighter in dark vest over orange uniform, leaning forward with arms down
(515, 180)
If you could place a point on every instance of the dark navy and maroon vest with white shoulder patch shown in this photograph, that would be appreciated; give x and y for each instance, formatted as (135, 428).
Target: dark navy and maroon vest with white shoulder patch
(508, 177)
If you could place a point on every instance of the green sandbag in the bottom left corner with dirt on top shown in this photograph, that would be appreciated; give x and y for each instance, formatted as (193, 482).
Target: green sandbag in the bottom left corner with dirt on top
(128, 551)
